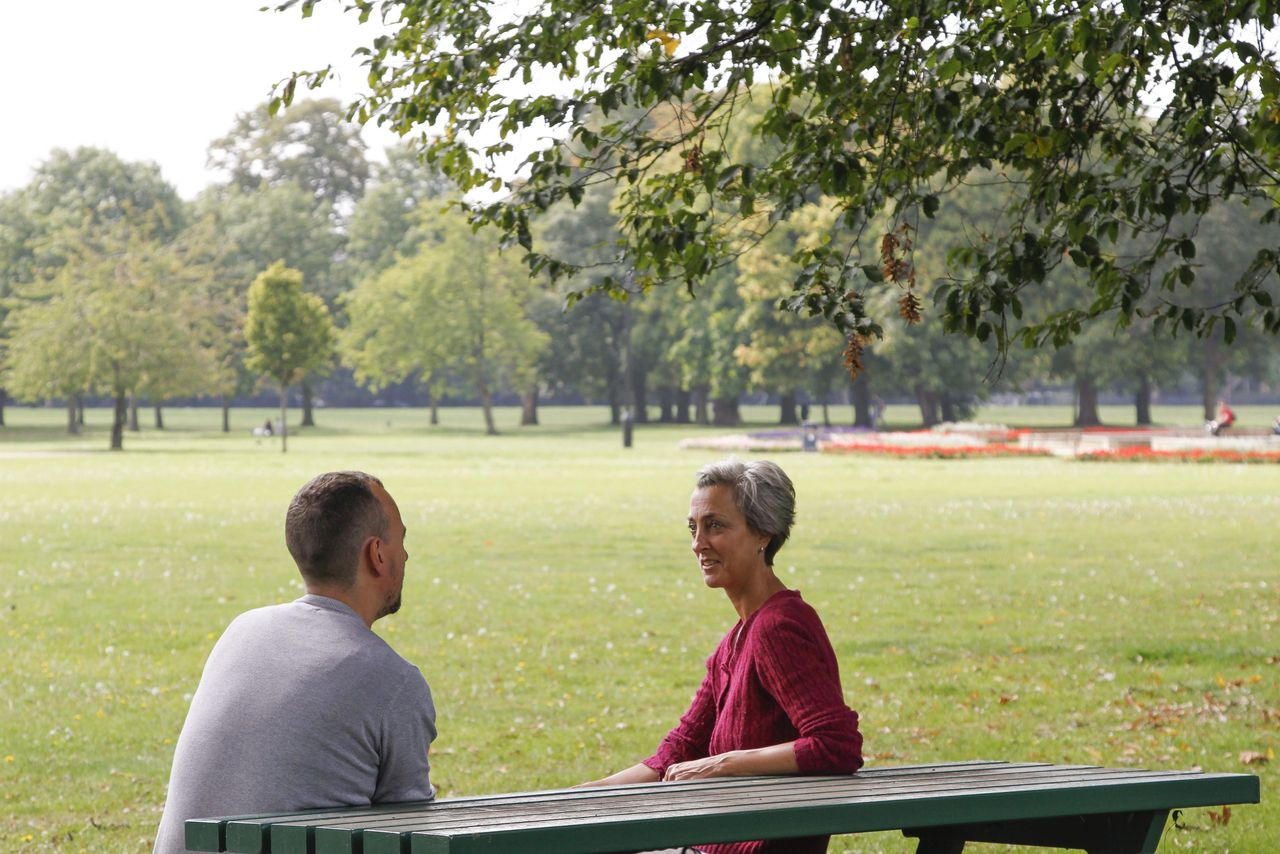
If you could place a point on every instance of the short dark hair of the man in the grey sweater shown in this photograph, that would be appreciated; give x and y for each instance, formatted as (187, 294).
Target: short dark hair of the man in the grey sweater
(328, 523)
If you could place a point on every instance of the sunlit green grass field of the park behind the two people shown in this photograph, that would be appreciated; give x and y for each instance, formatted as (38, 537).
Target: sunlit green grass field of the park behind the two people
(1008, 609)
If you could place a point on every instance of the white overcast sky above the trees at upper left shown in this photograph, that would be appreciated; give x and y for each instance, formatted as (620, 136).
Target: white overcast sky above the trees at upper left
(157, 80)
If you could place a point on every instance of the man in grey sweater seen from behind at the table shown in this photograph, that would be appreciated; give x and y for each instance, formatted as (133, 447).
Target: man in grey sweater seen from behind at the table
(301, 705)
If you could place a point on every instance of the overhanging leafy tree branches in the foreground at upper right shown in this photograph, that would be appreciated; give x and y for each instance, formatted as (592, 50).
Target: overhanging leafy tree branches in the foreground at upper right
(1116, 118)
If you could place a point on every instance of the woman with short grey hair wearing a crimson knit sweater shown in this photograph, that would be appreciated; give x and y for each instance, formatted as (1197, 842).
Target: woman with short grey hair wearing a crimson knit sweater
(771, 702)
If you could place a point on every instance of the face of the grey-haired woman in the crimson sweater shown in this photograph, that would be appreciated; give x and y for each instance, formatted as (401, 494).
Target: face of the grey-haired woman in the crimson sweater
(729, 551)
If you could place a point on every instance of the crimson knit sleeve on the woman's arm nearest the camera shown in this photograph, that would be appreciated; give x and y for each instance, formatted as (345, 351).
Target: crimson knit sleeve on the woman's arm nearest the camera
(798, 666)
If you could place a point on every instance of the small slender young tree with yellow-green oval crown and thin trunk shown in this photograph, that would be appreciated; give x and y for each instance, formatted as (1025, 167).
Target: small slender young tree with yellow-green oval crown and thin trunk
(289, 334)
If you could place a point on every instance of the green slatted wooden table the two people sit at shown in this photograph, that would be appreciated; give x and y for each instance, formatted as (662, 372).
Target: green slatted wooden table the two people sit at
(945, 806)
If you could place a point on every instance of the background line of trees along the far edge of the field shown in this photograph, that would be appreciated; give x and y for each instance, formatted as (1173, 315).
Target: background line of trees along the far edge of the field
(309, 258)
